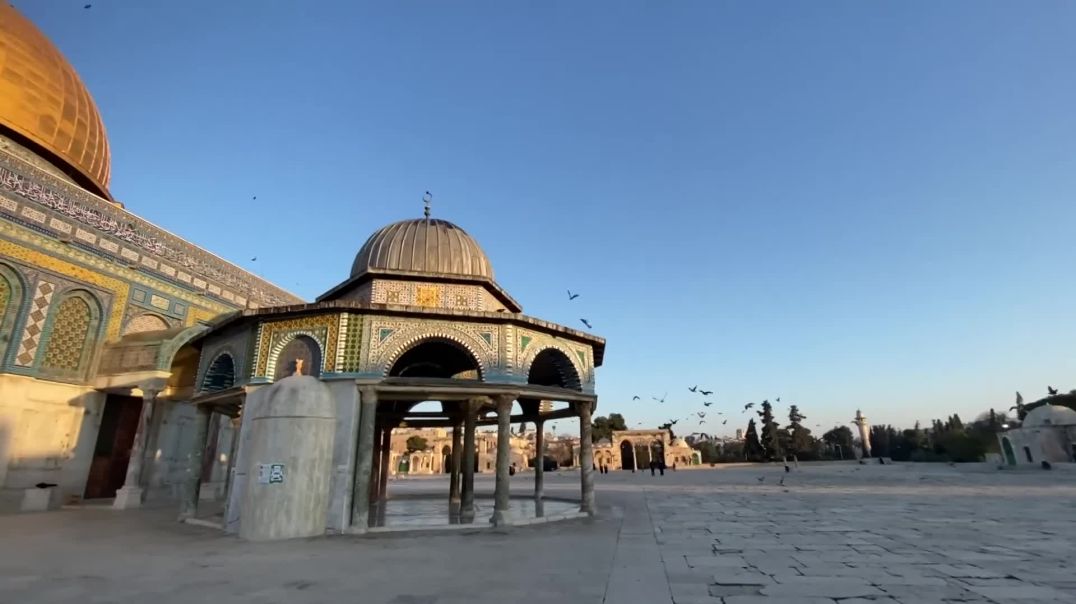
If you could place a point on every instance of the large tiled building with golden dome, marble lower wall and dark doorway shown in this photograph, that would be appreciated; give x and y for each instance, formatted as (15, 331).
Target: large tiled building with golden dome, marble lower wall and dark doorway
(98, 307)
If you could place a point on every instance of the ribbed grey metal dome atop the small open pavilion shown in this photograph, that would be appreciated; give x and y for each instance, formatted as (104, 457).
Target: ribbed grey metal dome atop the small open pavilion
(423, 246)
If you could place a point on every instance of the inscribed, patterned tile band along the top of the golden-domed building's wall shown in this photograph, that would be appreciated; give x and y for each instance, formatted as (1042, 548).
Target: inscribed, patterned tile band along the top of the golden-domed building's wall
(44, 202)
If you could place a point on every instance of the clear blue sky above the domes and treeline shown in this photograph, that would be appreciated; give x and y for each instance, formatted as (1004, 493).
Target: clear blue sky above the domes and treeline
(841, 204)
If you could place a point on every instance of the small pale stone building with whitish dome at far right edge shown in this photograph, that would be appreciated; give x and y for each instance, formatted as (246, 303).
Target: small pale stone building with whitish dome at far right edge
(1049, 433)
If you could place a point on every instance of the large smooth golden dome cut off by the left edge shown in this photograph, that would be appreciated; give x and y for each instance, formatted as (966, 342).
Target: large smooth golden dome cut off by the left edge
(44, 103)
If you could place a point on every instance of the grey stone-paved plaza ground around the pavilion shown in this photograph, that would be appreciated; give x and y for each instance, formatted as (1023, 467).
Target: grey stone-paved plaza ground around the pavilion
(912, 533)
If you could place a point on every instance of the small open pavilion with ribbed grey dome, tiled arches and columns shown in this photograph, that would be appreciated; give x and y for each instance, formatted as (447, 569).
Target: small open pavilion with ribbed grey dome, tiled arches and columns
(420, 319)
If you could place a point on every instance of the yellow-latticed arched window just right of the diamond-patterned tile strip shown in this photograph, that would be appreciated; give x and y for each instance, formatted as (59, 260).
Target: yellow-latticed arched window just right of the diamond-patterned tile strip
(72, 333)
